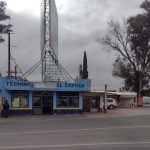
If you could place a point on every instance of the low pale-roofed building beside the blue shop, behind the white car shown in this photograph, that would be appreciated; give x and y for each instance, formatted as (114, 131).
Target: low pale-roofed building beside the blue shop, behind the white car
(93, 101)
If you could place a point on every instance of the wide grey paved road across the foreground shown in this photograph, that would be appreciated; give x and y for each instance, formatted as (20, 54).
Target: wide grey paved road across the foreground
(112, 131)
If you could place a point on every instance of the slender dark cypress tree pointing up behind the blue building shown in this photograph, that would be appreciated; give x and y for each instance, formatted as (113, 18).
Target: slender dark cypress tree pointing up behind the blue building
(85, 66)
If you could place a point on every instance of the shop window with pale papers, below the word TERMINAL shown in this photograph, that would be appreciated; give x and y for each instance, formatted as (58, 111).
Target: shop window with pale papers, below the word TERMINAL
(20, 99)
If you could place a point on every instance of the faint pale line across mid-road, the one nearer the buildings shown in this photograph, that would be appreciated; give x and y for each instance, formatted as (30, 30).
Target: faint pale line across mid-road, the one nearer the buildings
(73, 130)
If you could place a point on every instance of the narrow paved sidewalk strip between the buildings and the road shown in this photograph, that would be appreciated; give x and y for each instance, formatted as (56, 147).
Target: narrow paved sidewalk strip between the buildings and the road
(118, 112)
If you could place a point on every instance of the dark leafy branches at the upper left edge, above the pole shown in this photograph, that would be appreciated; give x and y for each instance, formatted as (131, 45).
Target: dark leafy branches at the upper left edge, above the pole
(3, 28)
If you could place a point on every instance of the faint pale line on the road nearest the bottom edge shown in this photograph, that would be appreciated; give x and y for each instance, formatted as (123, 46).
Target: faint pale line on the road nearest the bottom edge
(76, 145)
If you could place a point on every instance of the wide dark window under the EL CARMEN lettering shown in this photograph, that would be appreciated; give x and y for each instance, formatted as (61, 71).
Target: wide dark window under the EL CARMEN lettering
(68, 101)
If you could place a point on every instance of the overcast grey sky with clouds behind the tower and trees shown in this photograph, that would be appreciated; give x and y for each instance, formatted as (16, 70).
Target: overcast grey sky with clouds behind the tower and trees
(80, 23)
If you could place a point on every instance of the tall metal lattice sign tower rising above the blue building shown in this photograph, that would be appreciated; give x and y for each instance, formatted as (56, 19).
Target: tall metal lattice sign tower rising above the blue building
(52, 71)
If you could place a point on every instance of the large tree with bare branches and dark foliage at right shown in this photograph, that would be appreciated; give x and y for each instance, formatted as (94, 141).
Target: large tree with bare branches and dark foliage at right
(131, 41)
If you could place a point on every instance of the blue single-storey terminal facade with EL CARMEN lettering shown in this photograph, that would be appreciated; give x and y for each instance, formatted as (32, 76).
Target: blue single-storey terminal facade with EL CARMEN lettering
(27, 97)
